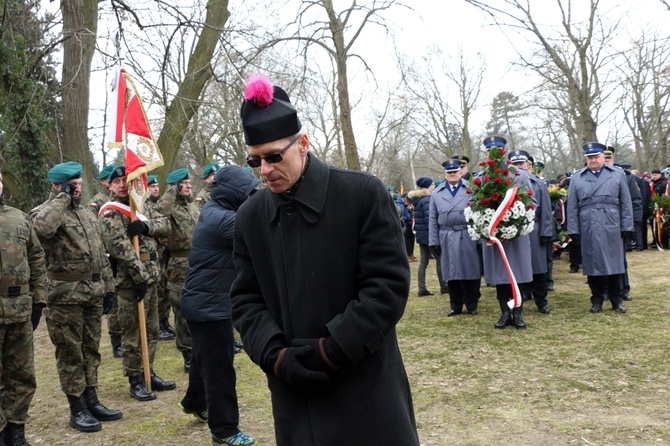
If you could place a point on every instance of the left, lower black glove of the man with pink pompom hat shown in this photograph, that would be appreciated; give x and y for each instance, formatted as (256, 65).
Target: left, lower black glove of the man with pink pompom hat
(290, 368)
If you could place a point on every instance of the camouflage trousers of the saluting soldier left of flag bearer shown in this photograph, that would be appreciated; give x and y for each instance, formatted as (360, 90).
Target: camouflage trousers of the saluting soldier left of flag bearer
(75, 332)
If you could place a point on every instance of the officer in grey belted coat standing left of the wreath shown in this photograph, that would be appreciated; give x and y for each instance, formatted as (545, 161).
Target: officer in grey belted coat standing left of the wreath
(448, 236)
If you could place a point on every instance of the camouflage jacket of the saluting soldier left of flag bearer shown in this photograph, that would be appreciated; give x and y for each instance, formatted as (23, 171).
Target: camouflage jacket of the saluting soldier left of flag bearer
(77, 265)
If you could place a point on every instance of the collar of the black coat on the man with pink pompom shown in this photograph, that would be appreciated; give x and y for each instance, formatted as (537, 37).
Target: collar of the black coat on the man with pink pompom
(310, 197)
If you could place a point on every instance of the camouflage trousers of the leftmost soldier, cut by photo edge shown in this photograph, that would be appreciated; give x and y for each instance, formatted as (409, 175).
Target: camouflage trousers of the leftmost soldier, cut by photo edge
(17, 369)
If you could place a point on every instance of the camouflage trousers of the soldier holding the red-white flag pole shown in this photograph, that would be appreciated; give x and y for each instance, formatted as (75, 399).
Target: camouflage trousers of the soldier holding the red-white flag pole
(130, 325)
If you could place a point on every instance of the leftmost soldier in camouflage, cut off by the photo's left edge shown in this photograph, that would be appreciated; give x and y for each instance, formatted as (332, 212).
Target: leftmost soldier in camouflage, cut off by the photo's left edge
(23, 295)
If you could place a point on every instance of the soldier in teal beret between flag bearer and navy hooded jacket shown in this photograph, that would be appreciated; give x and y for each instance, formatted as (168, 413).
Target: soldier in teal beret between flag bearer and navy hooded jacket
(177, 204)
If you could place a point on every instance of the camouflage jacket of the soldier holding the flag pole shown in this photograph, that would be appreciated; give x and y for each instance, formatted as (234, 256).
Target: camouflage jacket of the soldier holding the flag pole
(131, 268)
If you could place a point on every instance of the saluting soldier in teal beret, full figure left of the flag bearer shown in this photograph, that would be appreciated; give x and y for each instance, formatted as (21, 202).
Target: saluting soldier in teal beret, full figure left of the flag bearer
(80, 287)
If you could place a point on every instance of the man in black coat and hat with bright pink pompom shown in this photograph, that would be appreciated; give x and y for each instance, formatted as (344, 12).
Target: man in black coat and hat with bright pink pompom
(322, 280)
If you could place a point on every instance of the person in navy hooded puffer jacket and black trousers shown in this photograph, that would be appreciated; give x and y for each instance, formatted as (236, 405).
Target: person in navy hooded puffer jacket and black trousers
(206, 306)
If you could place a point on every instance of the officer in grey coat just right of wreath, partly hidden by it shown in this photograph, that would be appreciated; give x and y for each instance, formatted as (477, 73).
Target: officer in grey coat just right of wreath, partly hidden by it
(542, 232)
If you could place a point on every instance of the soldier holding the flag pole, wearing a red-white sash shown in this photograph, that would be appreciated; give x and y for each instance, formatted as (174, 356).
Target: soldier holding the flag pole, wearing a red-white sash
(135, 280)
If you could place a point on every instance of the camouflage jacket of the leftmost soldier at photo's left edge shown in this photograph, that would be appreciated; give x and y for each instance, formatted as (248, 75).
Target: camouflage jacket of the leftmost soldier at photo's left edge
(22, 267)
